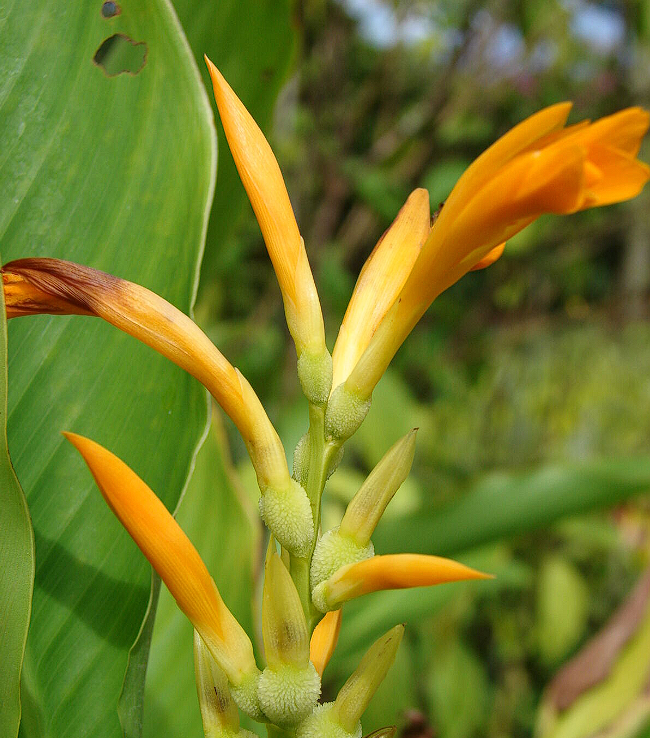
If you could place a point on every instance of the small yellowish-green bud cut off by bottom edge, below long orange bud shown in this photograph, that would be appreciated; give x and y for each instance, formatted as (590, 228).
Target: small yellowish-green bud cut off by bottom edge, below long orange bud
(218, 710)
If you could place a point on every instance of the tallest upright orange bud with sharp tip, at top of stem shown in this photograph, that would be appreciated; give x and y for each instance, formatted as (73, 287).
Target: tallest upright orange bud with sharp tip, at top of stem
(267, 192)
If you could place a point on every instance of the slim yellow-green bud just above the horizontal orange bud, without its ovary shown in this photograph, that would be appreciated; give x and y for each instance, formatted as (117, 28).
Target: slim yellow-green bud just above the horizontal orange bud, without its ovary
(368, 505)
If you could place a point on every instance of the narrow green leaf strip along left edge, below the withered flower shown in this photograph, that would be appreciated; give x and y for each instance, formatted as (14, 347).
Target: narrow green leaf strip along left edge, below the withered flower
(16, 564)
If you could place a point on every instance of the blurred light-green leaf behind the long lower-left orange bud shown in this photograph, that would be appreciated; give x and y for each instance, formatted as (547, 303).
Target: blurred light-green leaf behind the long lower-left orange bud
(214, 514)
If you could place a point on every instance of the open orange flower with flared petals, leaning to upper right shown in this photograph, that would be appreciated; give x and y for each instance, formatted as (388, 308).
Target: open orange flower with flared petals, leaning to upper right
(538, 167)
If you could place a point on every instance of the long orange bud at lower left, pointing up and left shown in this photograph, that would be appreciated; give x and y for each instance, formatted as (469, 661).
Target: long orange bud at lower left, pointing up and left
(172, 555)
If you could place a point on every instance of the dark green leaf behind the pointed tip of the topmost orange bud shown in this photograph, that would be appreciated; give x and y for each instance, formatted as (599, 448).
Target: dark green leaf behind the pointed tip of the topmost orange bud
(252, 42)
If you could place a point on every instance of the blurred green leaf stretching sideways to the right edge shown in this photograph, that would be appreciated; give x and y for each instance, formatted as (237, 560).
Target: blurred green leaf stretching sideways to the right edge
(508, 503)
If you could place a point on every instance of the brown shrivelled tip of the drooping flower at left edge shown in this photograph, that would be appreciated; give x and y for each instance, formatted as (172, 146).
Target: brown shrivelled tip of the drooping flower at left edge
(53, 286)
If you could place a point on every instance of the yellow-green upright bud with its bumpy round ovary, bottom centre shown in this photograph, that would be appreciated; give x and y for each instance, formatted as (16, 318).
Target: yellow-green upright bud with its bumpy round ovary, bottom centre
(289, 687)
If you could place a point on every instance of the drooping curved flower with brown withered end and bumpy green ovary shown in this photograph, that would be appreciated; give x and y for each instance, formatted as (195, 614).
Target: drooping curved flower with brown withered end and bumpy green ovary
(55, 286)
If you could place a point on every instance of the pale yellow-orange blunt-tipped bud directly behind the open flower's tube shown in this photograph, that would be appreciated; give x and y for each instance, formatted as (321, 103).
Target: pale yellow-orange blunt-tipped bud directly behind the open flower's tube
(380, 281)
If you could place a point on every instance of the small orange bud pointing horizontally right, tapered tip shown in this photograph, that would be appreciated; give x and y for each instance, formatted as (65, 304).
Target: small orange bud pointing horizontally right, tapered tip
(392, 571)
